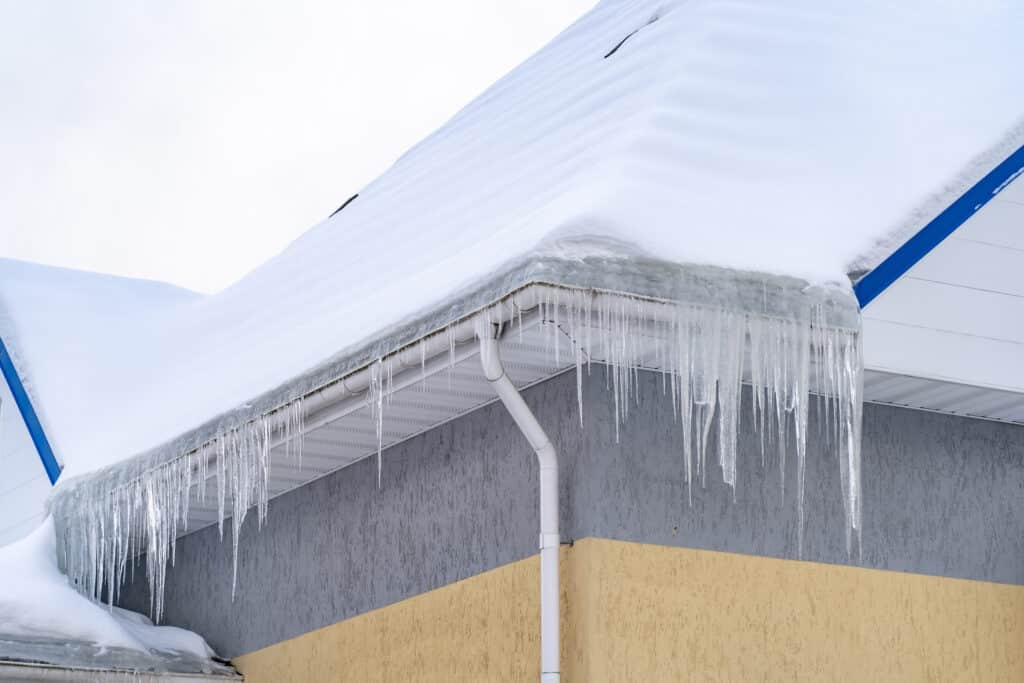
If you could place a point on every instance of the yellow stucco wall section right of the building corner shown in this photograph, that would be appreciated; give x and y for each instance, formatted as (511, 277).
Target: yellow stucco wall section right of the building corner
(658, 614)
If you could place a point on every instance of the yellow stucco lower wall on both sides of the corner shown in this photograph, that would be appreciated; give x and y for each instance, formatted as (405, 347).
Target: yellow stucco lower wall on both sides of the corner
(634, 612)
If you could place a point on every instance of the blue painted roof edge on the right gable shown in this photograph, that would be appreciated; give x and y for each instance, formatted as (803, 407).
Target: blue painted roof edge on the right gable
(915, 249)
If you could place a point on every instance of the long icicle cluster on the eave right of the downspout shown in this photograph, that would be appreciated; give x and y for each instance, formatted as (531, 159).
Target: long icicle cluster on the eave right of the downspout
(701, 354)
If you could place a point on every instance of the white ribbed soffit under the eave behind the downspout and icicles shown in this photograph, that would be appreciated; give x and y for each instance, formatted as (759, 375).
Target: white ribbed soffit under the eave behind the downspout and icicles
(534, 348)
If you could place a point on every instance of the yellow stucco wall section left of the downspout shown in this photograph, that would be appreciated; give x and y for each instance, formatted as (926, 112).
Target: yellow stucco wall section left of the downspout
(486, 628)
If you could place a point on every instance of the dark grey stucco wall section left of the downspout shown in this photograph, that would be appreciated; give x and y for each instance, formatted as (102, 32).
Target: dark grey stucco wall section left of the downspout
(455, 502)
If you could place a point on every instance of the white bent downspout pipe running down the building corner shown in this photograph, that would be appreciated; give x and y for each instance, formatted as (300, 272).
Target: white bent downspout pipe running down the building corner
(548, 458)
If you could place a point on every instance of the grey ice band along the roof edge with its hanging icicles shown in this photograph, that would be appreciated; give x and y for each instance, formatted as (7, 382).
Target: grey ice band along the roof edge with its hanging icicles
(106, 519)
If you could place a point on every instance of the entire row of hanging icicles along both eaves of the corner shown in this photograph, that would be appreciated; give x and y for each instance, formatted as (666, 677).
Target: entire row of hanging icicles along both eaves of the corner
(705, 356)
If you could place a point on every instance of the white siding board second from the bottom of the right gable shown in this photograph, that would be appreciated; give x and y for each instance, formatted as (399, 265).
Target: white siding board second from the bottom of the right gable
(942, 307)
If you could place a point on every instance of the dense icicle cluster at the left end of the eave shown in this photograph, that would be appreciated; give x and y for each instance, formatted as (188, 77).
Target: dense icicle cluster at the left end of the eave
(105, 532)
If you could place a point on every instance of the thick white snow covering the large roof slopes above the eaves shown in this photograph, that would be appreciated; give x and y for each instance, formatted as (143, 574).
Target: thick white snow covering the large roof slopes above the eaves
(796, 139)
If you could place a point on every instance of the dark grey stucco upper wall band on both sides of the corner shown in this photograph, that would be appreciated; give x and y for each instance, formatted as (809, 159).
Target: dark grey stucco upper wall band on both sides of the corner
(943, 496)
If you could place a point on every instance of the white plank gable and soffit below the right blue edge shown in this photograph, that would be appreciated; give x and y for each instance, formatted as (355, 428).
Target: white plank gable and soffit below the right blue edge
(949, 335)
